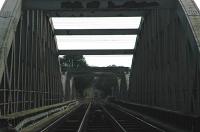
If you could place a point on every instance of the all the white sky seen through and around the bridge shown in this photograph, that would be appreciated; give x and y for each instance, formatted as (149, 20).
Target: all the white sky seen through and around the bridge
(99, 42)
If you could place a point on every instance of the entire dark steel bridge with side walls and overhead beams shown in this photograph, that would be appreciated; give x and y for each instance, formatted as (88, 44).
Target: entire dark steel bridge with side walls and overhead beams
(165, 70)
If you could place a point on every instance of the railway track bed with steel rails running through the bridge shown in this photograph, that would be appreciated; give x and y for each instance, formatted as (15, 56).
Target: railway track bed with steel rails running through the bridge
(99, 118)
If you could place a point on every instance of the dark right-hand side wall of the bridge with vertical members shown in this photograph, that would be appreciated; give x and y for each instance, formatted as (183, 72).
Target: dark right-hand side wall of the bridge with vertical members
(166, 58)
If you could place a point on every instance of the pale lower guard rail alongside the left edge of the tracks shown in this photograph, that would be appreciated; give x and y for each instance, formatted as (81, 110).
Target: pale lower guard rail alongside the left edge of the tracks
(44, 114)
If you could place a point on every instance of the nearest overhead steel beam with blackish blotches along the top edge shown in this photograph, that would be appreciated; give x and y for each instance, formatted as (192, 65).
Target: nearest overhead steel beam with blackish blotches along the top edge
(89, 4)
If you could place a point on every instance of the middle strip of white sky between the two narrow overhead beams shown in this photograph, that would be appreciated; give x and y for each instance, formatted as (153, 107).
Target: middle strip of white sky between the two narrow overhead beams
(96, 41)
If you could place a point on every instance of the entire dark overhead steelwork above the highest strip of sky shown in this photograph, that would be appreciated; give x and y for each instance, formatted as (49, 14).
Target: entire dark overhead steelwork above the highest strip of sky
(92, 8)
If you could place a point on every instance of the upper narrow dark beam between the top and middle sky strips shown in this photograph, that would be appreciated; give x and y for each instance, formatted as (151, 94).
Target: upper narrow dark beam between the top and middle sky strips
(96, 31)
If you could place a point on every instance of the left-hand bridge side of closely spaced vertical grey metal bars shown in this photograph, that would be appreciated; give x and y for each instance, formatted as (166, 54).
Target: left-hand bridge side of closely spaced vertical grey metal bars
(32, 75)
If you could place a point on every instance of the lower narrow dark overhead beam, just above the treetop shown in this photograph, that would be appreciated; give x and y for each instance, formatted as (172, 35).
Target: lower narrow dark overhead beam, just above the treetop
(96, 52)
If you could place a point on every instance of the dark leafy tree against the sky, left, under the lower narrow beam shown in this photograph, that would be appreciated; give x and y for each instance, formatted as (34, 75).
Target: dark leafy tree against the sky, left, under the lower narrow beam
(72, 62)
